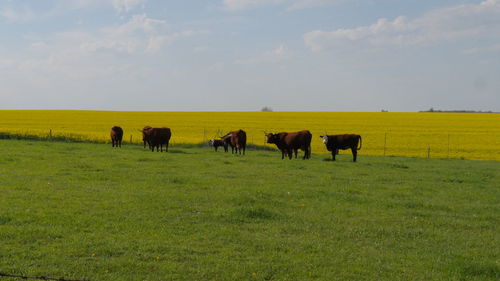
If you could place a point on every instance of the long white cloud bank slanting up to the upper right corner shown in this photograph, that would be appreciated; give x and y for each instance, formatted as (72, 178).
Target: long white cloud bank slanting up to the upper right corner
(448, 24)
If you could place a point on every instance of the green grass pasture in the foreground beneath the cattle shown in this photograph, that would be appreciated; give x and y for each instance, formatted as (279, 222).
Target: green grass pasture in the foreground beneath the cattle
(87, 211)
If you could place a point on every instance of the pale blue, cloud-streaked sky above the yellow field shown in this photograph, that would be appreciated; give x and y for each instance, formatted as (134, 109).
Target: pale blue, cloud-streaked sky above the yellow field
(243, 55)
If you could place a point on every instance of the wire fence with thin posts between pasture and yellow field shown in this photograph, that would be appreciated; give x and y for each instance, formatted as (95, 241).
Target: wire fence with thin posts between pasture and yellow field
(412, 144)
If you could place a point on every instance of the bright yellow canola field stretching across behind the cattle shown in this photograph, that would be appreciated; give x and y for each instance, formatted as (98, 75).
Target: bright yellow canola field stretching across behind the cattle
(440, 135)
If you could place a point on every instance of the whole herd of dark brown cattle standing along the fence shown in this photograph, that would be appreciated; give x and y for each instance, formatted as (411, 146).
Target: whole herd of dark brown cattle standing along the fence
(287, 143)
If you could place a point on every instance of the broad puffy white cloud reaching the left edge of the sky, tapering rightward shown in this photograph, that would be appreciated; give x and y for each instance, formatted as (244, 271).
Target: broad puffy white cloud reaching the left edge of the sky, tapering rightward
(90, 54)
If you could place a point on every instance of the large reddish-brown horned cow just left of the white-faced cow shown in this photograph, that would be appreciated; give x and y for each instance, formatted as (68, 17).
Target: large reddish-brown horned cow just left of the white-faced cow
(292, 142)
